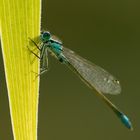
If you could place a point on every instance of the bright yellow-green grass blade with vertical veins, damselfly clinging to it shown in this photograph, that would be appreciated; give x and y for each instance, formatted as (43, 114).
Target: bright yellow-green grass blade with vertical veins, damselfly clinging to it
(20, 19)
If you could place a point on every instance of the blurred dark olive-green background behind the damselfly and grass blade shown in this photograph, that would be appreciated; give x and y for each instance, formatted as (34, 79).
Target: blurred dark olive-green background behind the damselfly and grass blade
(108, 34)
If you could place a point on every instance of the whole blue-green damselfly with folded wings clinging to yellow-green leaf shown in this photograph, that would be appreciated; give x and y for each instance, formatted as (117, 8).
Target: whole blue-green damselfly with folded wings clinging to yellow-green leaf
(92, 75)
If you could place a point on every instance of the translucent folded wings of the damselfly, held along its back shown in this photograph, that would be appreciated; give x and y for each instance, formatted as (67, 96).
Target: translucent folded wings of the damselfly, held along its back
(93, 75)
